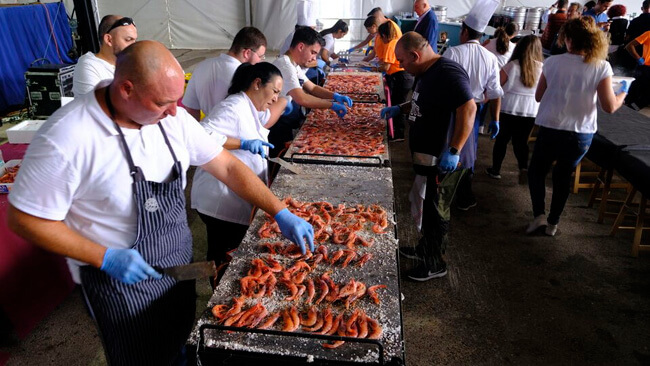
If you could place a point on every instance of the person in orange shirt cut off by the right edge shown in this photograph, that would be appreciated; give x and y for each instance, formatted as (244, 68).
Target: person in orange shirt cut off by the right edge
(639, 95)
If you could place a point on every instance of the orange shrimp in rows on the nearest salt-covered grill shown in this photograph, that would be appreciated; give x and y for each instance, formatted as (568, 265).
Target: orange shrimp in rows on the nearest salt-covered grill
(286, 290)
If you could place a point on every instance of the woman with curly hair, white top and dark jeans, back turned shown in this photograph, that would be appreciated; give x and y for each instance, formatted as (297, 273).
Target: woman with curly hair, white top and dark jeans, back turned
(569, 89)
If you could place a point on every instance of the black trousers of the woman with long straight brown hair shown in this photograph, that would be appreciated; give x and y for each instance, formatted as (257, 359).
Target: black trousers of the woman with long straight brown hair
(518, 129)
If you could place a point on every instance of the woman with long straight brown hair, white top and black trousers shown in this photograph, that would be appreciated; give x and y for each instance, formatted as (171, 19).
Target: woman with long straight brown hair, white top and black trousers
(519, 79)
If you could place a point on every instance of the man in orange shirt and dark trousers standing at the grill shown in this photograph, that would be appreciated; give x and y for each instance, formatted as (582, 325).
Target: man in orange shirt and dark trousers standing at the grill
(399, 81)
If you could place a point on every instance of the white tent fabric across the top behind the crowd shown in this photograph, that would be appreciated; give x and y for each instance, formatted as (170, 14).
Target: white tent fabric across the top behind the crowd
(210, 24)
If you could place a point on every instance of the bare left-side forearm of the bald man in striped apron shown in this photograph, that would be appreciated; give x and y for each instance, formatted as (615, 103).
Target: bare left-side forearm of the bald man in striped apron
(55, 236)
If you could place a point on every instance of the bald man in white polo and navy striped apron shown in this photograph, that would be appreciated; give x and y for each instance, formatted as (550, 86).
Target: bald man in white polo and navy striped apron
(102, 184)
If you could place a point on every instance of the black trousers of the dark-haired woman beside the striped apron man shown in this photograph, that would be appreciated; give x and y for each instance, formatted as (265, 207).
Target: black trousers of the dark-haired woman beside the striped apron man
(223, 236)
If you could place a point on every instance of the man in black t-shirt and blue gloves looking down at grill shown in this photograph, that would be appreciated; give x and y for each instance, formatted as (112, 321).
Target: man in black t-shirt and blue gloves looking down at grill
(441, 113)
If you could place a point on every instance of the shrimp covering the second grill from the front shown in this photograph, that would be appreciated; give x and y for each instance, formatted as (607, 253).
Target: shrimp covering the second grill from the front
(360, 133)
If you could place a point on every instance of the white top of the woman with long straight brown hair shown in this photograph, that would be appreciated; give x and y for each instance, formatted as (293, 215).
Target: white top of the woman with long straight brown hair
(518, 99)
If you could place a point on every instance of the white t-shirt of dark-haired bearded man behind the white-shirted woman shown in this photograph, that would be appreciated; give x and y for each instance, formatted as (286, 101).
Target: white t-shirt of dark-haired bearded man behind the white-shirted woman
(210, 82)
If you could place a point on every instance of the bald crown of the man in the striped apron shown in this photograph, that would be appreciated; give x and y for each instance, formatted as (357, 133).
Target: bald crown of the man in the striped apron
(145, 63)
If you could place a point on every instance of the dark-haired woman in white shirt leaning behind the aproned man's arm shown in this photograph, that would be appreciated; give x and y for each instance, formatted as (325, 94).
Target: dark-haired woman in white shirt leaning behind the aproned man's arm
(245, 116)
